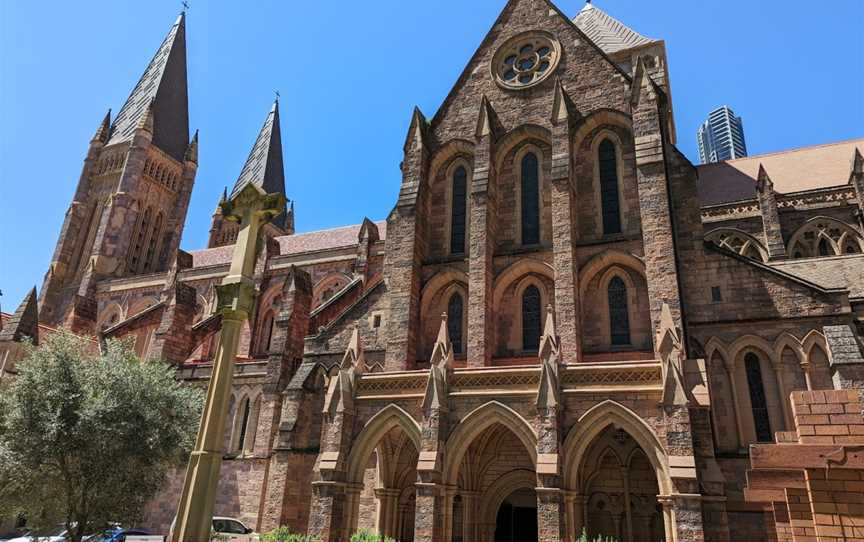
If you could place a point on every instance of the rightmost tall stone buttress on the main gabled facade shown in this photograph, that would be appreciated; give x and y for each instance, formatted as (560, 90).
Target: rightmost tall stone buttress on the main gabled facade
(661, 271)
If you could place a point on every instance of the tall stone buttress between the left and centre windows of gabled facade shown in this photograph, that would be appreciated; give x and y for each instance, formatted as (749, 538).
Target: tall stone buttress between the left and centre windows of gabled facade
(481, 249)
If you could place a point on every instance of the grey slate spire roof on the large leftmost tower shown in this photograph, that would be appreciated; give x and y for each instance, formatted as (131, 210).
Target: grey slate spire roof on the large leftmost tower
(164, 85)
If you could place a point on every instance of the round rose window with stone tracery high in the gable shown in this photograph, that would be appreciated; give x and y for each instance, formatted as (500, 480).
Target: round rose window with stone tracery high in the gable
(525, 60)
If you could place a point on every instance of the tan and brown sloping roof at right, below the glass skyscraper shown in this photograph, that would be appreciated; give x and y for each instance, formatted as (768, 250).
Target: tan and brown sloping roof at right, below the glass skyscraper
(795, 170)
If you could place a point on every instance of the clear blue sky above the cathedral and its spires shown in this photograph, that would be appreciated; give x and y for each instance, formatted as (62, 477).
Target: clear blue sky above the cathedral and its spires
(349, 74)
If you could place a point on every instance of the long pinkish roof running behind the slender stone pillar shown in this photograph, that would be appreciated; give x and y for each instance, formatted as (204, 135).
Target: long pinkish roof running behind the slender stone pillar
(313, 241)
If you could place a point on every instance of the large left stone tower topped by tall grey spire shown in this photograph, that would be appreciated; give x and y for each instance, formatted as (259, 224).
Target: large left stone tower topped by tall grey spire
(126, 217)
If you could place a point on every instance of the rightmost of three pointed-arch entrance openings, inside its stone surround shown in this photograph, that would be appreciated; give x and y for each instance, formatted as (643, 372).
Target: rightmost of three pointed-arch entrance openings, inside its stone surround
(620, 490)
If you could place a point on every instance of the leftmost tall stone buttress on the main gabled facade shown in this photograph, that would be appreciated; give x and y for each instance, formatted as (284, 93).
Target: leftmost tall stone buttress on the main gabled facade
(405, 249)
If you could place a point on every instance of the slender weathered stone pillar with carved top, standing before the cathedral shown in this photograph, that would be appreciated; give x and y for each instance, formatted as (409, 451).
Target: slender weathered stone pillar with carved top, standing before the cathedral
(236, 299)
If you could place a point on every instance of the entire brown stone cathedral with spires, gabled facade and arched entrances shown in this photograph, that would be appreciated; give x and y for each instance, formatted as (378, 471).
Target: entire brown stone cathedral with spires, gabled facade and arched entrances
(561, 324)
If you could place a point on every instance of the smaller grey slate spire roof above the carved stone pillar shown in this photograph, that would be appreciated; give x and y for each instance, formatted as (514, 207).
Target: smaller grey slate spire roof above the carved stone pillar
(264, 166)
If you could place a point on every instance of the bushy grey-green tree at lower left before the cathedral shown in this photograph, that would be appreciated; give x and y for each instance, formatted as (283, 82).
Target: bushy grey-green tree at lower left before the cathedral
(87, 438)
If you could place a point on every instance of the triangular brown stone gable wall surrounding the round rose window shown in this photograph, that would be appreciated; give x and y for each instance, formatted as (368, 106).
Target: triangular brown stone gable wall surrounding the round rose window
(591, 79)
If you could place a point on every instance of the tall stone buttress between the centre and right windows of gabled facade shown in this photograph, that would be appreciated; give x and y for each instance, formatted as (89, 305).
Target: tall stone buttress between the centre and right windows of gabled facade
(564, 225)
